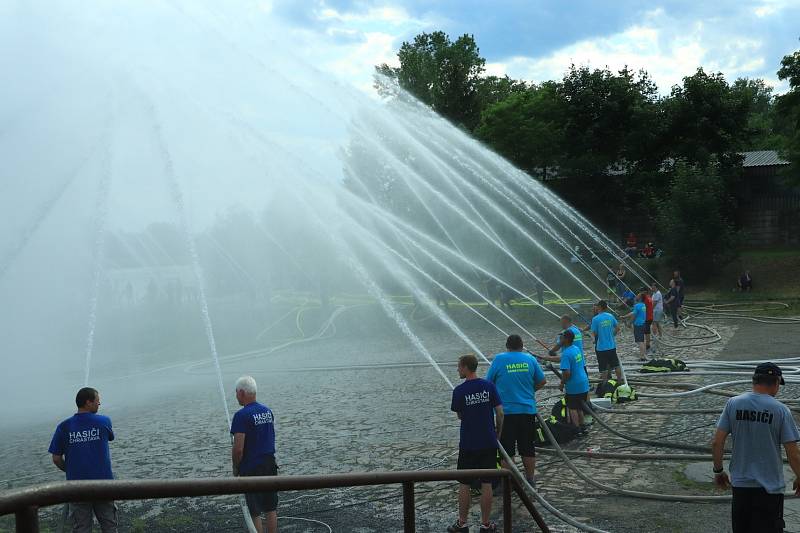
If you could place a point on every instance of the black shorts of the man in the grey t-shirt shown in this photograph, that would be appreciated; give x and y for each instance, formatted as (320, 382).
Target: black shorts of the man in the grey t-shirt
(754, 509)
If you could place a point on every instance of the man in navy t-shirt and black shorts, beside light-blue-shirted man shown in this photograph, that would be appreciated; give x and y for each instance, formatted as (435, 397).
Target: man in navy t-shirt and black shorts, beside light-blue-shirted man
(480, 410)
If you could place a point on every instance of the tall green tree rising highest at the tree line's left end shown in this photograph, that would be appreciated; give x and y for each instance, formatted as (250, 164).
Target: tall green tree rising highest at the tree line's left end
(442, 73)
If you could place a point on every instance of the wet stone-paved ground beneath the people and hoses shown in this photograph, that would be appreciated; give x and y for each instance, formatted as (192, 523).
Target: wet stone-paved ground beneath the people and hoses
(400, 424)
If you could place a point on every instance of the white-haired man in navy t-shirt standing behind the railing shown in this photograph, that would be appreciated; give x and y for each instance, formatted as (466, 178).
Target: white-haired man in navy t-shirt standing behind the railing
(253, 453)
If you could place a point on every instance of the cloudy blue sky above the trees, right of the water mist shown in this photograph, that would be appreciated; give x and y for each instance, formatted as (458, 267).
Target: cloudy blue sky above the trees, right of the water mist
(537, 40)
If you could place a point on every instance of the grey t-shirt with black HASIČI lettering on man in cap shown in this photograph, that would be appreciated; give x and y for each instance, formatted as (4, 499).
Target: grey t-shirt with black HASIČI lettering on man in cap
(759, 425)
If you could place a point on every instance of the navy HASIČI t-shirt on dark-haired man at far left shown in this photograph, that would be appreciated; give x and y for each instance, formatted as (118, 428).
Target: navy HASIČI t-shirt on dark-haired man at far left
(83, 441)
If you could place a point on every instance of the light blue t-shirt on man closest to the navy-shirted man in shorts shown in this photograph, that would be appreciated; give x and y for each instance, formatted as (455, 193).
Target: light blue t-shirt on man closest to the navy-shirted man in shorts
(514, 374)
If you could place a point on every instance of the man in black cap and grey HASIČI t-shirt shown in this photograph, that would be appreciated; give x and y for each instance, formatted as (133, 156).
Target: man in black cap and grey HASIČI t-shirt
(759, 425)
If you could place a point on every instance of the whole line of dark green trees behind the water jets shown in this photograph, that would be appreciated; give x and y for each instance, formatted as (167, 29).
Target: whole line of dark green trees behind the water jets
(610, 144)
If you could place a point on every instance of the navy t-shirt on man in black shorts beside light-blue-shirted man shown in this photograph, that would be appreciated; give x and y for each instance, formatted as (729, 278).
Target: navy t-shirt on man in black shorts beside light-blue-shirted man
(476, 399)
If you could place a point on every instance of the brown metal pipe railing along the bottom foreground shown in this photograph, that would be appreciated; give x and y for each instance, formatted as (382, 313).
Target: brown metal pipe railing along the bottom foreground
(25, 503)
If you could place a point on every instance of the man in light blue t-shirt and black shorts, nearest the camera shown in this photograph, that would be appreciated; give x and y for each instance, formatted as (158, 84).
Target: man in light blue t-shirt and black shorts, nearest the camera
(518, 376)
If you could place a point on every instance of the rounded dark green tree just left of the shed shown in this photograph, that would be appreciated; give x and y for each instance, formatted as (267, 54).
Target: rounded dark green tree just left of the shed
(693, 222)
